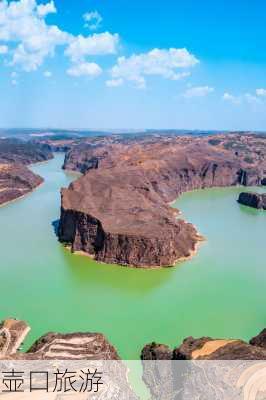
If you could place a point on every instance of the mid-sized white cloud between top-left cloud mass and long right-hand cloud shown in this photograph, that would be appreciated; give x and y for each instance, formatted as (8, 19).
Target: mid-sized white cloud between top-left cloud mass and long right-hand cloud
(96, 44)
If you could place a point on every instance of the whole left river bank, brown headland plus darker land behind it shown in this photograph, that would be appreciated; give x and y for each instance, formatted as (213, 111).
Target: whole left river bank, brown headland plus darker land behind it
(16, 180)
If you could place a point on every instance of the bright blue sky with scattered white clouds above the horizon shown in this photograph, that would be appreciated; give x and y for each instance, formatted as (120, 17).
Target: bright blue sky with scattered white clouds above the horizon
(133, 64)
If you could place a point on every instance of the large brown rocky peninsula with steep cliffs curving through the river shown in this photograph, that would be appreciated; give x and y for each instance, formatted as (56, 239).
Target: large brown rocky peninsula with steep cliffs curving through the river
(119, 212)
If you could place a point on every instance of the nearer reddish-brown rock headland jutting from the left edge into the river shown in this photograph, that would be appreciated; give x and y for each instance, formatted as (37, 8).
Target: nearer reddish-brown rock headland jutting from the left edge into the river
(16, 181)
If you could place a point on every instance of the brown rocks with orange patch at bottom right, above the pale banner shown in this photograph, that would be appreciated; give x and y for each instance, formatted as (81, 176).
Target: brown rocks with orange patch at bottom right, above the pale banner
(207, 348)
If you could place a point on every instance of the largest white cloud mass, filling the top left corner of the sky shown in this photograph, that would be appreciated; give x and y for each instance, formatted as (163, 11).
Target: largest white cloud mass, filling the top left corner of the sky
(22, 24)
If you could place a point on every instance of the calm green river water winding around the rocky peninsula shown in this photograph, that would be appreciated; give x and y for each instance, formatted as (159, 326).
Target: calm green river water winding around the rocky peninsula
(219, 293)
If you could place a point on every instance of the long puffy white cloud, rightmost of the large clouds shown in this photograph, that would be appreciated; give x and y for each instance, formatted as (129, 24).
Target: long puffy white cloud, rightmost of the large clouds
(161, 62)
